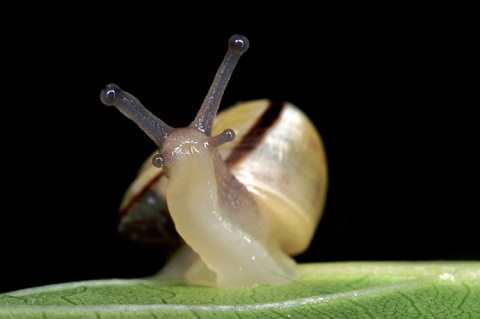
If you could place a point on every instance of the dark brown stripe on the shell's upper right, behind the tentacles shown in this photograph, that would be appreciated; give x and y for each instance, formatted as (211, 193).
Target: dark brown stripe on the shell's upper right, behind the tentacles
(256, 133)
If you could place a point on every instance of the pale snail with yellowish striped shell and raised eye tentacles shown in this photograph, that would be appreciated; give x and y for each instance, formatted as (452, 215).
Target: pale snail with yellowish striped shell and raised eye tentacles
(244, 189)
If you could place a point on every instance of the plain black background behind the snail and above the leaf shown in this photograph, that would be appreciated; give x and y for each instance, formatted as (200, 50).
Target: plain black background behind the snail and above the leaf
(393, 91)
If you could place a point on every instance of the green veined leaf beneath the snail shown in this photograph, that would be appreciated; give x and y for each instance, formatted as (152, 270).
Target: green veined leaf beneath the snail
(324, 290)
